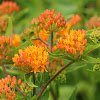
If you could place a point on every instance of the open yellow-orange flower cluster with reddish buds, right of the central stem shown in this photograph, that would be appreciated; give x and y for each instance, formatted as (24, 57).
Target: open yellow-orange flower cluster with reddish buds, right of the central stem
(73, 43)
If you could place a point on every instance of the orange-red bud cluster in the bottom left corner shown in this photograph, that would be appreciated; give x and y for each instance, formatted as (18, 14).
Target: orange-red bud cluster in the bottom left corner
(7, 86)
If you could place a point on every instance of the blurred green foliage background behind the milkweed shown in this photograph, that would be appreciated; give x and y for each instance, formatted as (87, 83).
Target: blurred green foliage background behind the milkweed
(84, 82)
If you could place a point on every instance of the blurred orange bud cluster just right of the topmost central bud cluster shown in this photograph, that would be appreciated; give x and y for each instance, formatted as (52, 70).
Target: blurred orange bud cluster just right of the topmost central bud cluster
(74, 20)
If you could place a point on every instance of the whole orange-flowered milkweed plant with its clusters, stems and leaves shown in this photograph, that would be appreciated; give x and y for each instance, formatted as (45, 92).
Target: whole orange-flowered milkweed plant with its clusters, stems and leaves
(43, 52)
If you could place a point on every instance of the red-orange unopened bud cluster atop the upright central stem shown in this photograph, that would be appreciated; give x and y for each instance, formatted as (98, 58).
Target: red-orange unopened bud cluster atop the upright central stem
(49, 21)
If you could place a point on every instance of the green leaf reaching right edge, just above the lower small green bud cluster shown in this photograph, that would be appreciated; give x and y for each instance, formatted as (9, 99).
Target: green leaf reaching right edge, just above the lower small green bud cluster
(89, 59)
